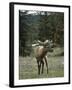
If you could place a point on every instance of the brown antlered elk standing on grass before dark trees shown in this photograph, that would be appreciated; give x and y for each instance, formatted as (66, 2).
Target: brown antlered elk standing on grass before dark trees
(40, 51)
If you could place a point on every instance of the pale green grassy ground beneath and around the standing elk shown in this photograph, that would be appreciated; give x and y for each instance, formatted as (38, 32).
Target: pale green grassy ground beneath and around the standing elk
(28, 66)
